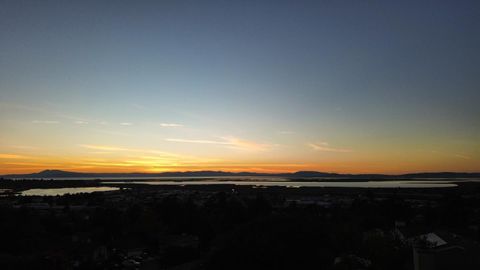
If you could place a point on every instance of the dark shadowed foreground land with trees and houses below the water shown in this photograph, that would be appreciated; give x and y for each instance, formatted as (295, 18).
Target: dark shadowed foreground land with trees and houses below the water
(247, 228)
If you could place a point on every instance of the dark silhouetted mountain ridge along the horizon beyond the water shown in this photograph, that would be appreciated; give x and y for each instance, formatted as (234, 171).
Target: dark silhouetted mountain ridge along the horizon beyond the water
(48, 174)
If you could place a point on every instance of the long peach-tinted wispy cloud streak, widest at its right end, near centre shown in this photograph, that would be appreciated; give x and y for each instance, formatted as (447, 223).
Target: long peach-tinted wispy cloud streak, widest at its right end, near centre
(231, 142)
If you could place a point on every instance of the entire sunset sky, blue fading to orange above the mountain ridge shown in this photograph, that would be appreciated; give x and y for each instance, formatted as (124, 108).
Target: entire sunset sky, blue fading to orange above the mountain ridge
(266, 86)
